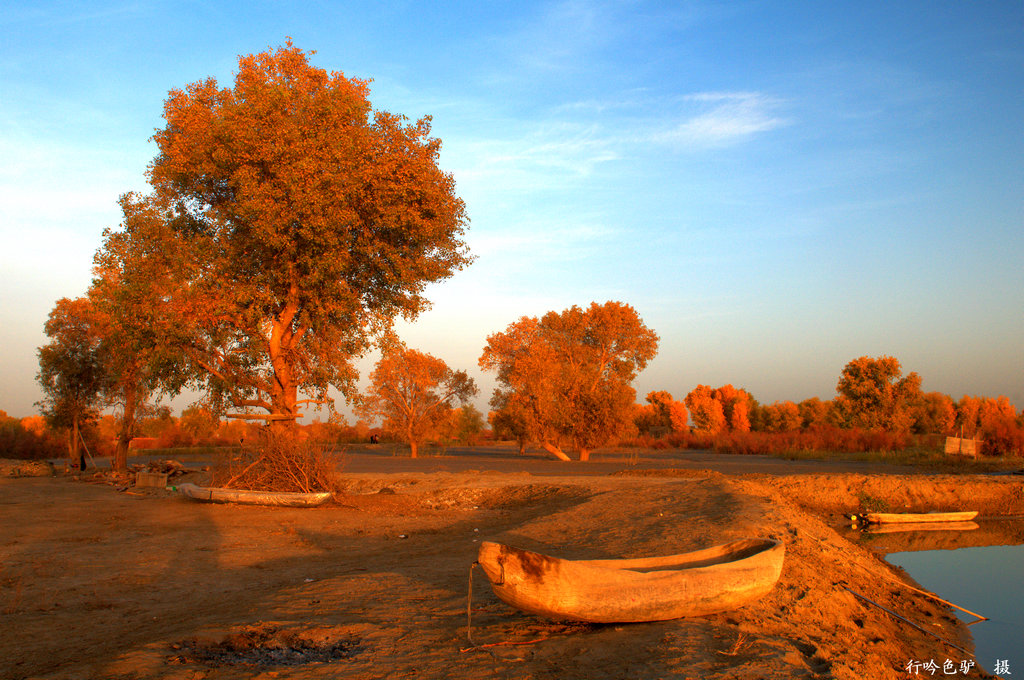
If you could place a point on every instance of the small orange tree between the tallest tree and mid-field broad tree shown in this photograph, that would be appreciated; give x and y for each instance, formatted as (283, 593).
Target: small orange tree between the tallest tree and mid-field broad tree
(414, 393)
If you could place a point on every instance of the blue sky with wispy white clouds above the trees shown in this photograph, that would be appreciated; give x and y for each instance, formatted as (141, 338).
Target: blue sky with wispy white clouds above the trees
(777, 188)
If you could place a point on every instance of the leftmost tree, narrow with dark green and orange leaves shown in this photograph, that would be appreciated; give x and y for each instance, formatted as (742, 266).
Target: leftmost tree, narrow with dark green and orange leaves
(72, 371)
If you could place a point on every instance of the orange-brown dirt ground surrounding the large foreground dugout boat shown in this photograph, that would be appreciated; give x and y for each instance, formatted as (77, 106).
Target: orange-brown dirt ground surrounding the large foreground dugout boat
(143, 584)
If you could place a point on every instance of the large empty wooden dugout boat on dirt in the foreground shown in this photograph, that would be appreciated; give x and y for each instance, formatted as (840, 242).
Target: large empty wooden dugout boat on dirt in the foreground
(693, 584)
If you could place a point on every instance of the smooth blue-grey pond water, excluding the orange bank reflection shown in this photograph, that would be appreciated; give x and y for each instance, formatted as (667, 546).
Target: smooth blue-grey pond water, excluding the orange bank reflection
(988, 580)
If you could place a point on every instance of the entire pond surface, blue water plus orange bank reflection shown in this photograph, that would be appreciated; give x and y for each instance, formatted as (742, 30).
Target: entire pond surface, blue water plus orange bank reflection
(960, 567)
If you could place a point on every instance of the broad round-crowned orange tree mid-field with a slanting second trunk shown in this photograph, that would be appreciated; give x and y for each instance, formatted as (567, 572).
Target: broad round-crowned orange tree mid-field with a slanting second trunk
(567, 377)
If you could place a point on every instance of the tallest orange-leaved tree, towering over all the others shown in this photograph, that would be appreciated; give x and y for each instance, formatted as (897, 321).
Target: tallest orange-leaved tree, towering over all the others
(303, 223)
